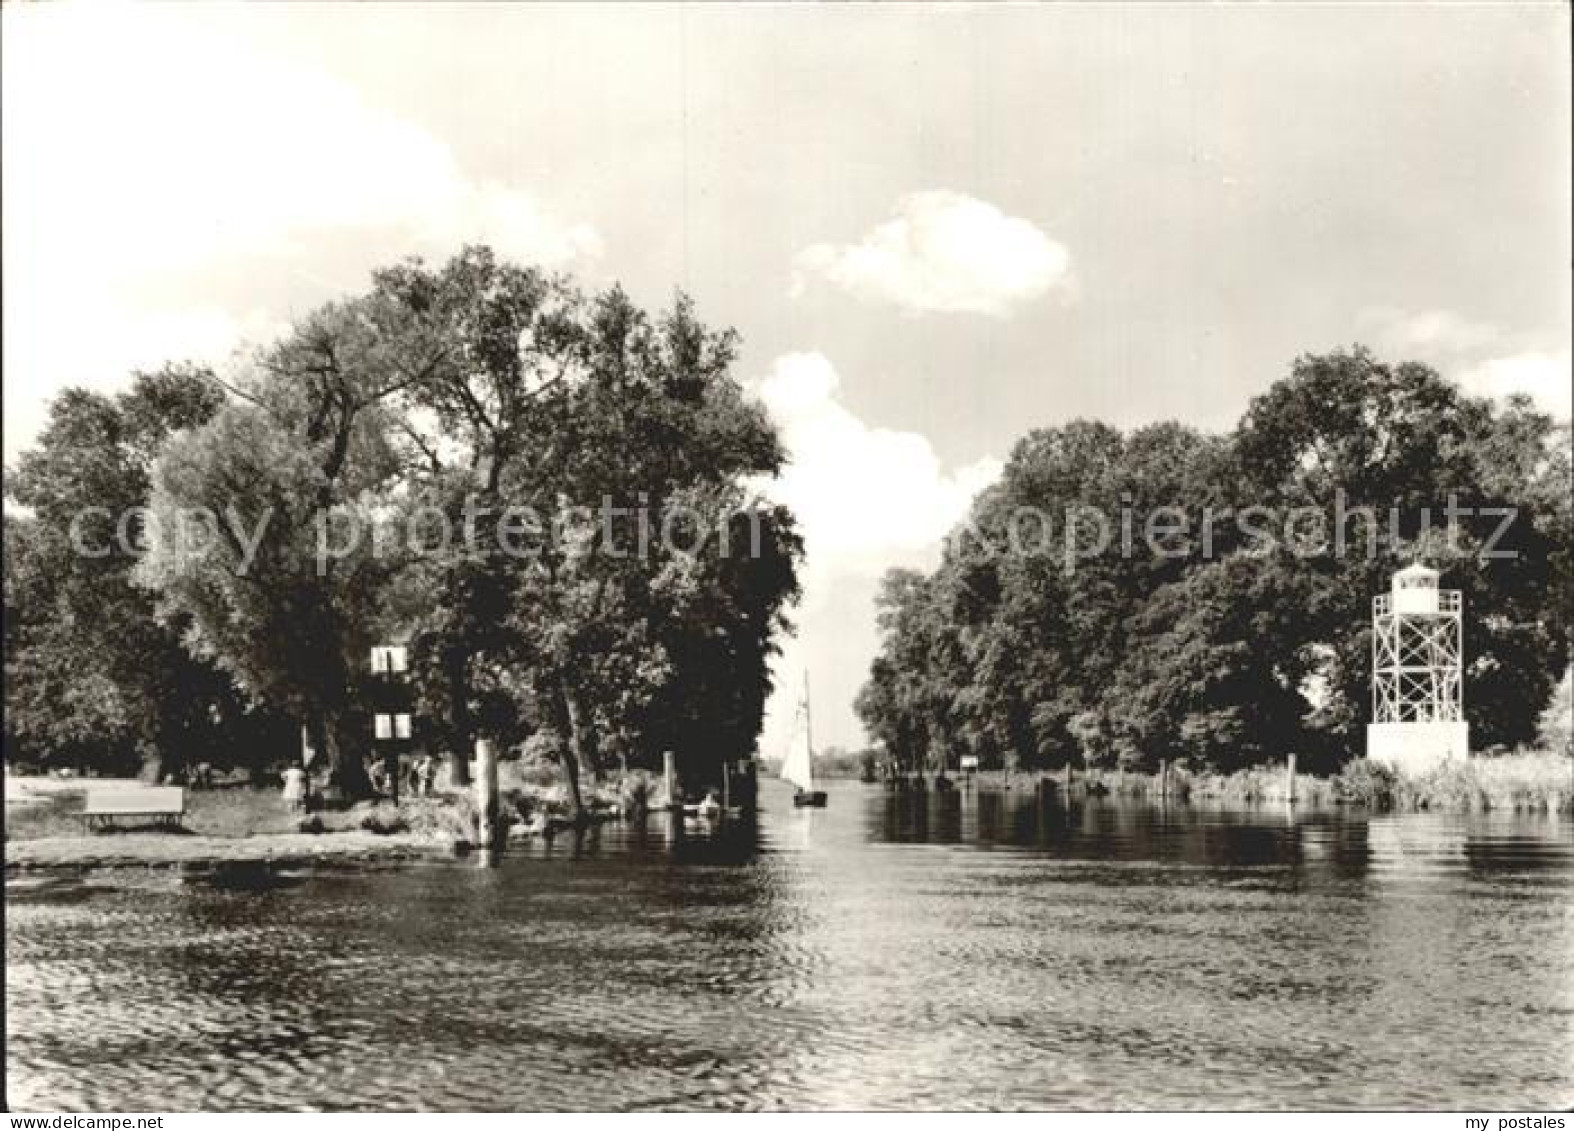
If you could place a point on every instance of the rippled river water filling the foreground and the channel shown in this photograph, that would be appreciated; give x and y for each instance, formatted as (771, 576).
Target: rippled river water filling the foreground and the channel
(951, 951)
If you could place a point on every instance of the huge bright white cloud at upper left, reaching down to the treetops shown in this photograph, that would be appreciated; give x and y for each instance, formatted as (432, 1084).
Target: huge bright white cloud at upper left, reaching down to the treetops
(147, 146)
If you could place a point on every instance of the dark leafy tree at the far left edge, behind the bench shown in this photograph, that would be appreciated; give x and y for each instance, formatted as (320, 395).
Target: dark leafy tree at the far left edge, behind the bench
(92, 679)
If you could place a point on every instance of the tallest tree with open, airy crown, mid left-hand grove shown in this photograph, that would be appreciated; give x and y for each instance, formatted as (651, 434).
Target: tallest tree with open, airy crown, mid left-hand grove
(476, 432)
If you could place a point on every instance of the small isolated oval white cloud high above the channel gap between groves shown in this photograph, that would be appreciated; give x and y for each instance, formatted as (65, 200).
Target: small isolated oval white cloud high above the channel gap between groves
(945, 252)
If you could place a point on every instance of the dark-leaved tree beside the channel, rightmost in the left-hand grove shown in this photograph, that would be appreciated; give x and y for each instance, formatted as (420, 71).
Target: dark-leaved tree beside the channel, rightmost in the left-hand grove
(657, 432)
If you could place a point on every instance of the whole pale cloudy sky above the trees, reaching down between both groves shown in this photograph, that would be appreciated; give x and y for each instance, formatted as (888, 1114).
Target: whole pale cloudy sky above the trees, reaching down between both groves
(936, 227)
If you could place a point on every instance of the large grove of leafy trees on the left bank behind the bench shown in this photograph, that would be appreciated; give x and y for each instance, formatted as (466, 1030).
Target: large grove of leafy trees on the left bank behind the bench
(397, 470)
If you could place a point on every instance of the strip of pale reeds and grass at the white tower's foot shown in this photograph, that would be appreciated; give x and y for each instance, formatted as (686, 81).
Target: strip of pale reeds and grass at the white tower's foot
(1531, 783)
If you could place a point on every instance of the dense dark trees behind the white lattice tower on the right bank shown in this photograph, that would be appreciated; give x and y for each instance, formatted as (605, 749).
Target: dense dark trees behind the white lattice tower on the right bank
(1240, 639)
